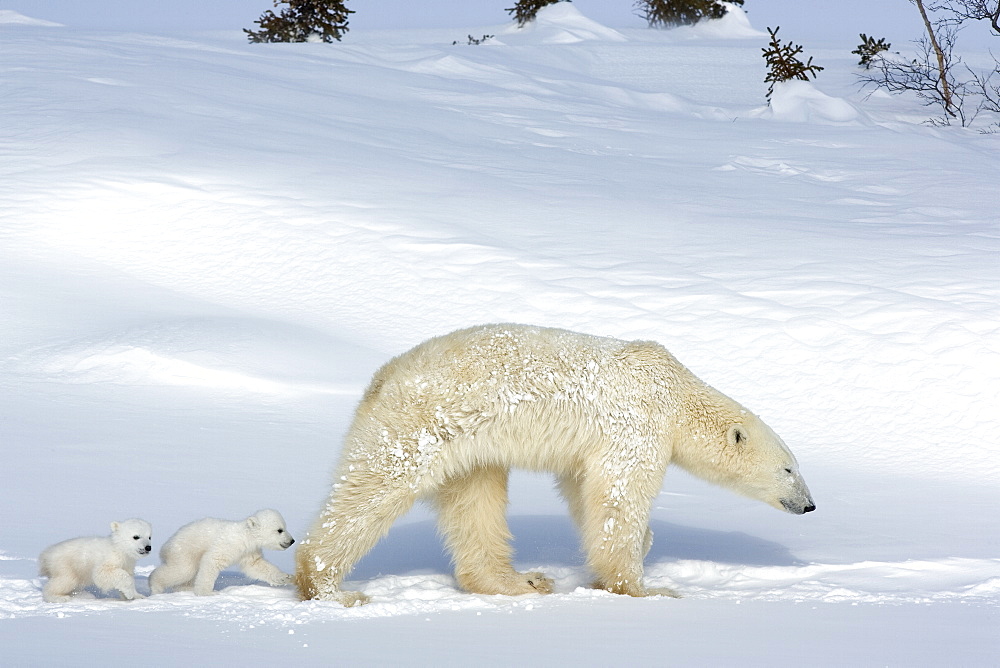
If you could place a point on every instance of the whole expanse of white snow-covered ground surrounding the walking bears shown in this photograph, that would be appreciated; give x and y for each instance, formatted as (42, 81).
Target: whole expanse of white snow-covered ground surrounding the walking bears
(206, 248)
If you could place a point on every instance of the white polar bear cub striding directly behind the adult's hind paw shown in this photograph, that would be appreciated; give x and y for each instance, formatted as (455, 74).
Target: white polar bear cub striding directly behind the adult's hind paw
(199, 551)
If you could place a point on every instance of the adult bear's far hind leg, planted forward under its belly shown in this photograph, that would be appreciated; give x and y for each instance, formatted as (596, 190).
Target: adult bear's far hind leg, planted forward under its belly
(472, 519)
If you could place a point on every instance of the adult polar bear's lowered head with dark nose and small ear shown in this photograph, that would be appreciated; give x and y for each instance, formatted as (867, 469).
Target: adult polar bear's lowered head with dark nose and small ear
(745, 455)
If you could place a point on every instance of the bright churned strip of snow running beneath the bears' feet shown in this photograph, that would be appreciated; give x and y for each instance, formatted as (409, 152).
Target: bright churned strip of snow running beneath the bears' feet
(240, 602)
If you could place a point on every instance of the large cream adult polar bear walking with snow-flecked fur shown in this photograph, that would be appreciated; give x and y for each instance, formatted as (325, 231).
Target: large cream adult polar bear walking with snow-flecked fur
(450, 418)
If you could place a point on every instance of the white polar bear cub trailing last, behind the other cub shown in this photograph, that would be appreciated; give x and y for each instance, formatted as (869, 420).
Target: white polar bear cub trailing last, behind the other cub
(108, 562)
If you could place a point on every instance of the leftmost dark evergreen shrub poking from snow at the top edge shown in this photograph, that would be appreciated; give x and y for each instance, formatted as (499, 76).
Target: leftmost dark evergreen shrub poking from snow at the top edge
(302, 20)
